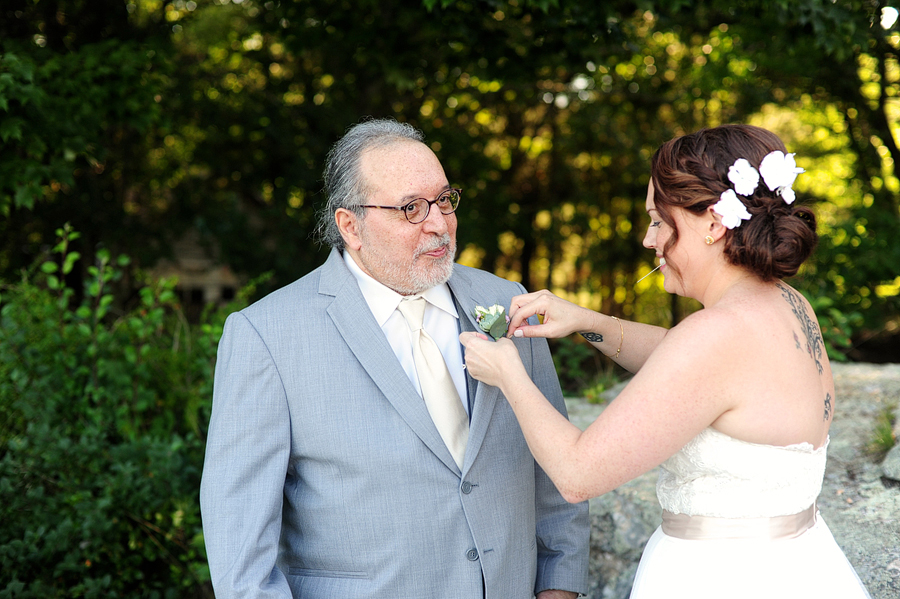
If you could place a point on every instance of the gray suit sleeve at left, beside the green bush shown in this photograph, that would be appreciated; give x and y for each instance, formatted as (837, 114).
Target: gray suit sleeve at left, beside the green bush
(244, 472)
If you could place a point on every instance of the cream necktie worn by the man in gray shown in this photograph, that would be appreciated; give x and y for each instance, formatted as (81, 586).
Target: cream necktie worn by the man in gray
(438, 390)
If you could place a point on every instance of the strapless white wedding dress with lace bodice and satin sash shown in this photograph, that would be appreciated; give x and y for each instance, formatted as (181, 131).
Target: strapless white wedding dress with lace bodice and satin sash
(755, 536)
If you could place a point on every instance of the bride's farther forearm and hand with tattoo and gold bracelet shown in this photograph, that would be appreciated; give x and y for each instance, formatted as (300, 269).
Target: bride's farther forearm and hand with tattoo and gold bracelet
(627, 343)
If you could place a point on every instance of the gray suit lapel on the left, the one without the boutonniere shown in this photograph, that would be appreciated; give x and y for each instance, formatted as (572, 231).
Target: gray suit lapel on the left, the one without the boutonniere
(359, 330)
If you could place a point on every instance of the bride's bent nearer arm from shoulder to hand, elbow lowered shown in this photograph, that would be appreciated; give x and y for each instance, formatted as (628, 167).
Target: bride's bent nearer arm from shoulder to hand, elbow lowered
(665, 405)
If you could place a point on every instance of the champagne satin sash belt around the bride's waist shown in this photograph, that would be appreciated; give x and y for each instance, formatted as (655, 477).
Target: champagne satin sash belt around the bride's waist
(697, 528)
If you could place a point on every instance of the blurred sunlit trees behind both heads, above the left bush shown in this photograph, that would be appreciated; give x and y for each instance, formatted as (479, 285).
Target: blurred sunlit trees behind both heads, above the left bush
(141, 121)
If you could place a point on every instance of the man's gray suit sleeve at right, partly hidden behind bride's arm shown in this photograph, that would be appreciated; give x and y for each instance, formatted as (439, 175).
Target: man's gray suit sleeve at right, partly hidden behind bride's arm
(563, 529)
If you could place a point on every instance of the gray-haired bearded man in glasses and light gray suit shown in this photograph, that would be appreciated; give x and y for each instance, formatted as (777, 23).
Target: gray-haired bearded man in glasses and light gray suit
(327, 474)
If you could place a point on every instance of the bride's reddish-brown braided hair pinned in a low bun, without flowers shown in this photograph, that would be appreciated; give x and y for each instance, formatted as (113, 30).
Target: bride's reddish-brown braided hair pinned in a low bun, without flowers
(691, 172)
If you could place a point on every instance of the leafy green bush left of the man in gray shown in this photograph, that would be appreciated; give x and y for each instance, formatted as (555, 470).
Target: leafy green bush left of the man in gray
(101, 438)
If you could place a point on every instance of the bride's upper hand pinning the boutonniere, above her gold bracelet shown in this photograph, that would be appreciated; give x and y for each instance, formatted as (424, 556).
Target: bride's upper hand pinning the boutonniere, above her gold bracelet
(560, 318)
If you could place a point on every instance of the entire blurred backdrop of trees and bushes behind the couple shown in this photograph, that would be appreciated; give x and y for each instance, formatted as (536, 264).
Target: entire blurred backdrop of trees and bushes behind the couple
(160, 166)
